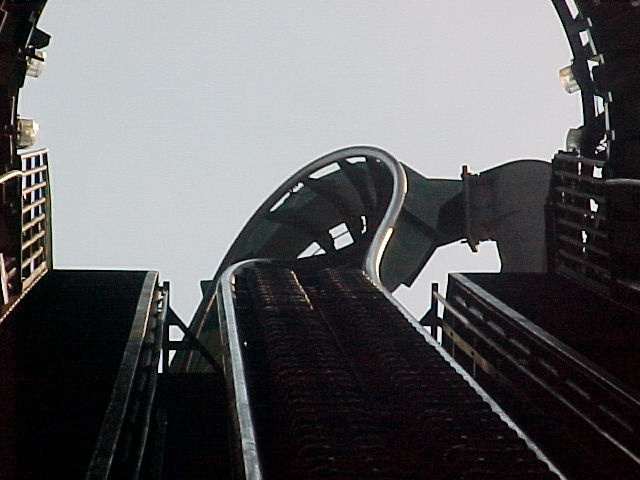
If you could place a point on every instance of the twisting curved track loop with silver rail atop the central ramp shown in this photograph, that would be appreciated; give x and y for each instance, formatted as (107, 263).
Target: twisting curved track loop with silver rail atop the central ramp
(382, 182)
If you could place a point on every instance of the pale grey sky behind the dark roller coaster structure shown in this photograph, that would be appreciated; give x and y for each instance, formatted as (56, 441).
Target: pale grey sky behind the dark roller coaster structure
(168, 125)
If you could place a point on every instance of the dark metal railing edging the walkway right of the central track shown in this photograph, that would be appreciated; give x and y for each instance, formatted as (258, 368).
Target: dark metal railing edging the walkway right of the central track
(499, 342)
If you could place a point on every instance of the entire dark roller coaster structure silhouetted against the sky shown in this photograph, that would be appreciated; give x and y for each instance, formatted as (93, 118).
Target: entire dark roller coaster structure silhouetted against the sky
(299, 362)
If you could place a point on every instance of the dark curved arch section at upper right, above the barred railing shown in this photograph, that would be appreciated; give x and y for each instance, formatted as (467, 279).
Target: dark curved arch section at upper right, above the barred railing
(604, 38)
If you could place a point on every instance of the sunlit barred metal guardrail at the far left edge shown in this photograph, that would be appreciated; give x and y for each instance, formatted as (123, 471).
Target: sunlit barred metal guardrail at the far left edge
(25, 227)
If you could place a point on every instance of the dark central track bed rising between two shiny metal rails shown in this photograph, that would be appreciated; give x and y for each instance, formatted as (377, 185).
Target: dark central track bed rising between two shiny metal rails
(341, 385)
